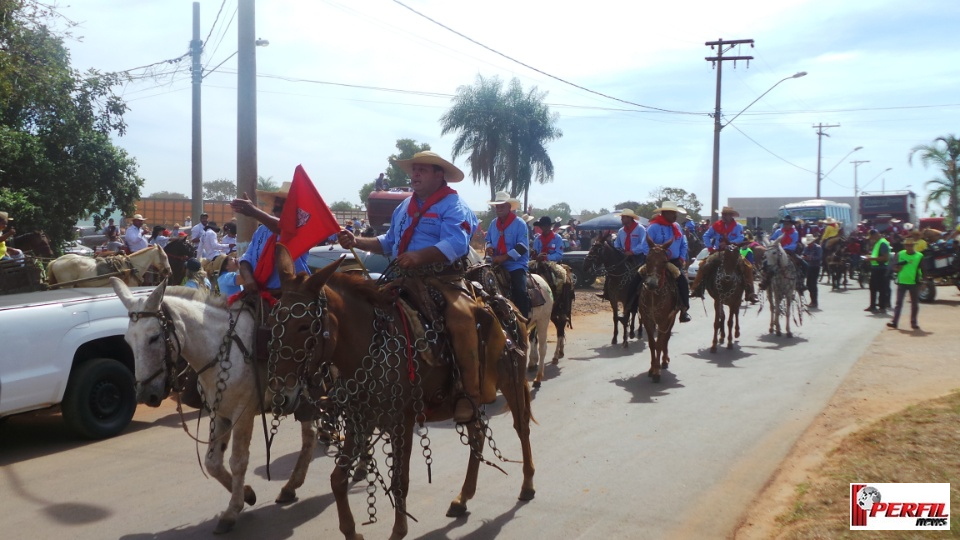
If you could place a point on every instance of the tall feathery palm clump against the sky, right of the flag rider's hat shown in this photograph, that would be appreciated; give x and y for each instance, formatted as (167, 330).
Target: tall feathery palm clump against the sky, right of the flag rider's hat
(503, 133)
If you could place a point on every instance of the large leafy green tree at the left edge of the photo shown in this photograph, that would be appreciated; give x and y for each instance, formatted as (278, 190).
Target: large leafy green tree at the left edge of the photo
(57, 161)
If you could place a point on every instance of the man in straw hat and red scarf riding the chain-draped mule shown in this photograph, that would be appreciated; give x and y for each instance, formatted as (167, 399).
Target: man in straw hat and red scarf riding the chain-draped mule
(432, 229)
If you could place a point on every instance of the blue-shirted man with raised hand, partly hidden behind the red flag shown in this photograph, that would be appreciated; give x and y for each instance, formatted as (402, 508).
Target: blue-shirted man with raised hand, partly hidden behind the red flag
(269, 225)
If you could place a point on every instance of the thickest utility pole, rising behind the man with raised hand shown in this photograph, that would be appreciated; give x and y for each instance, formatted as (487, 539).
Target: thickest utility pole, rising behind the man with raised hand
(246, 115)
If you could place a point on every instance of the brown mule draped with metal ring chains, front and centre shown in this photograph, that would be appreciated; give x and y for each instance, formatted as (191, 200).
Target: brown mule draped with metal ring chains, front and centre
(340, 339)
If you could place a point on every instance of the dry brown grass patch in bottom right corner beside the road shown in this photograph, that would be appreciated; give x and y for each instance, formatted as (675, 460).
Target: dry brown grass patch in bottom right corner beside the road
(920, 444)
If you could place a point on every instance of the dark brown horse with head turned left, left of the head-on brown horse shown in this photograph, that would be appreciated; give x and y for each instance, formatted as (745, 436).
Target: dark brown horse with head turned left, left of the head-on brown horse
(617, 287)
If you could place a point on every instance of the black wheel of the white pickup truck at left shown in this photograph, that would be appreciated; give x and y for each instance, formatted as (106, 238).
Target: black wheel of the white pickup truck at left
(100, 398)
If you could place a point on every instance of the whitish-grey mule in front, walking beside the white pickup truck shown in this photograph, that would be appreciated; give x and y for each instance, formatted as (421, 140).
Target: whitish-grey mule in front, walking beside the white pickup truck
(186, 322)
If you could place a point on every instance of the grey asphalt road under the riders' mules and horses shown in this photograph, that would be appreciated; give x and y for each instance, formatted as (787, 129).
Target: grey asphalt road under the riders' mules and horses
(617, 456)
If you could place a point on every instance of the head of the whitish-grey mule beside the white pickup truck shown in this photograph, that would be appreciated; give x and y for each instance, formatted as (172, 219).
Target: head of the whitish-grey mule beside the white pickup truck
(149, 335)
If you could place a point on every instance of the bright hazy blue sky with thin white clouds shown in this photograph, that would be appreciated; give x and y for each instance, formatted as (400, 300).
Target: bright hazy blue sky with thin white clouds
(342, 80)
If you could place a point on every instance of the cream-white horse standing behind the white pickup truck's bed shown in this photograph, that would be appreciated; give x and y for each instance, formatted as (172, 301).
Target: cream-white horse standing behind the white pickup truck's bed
(72, 267)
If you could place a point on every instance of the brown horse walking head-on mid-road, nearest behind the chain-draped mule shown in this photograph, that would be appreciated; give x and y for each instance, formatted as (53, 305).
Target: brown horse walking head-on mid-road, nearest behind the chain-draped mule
(658, 305)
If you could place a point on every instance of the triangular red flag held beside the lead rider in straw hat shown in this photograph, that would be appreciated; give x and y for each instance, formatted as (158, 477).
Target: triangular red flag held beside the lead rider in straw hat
(306, 220)
